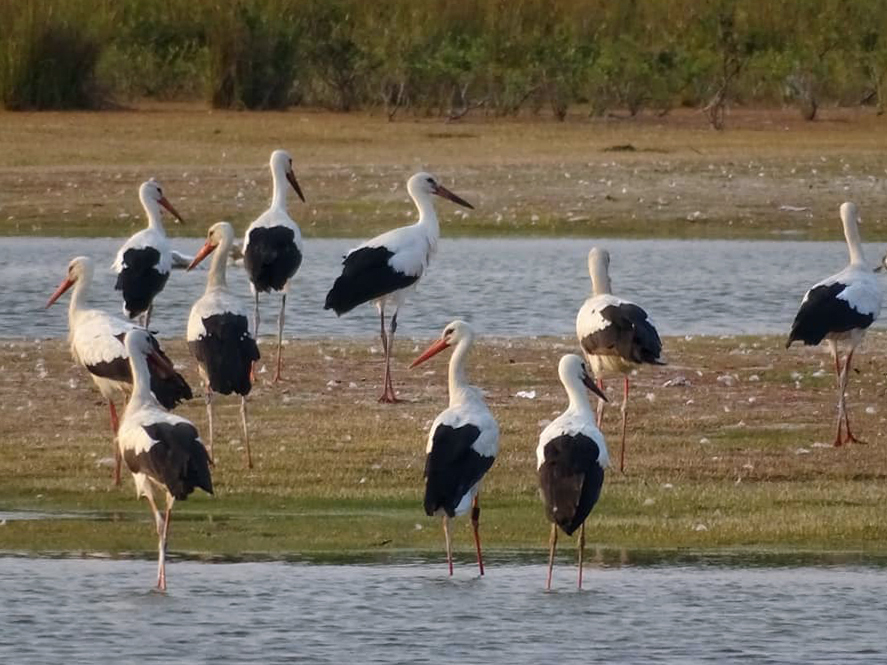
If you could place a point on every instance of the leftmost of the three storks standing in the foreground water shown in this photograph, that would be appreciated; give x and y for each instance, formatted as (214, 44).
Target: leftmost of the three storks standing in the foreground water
(163, 451)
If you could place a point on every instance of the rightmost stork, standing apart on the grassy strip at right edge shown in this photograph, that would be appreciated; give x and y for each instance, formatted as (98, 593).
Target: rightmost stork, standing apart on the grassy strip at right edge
(839, 309)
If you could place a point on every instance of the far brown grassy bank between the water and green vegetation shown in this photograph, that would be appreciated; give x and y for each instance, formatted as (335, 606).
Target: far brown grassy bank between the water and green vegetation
(77, 174)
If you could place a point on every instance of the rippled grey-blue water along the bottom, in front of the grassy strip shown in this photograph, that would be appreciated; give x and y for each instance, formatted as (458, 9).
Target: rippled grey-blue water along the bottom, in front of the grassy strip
(89, 611)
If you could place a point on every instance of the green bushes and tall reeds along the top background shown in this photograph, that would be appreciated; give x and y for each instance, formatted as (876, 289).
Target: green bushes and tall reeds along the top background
(448, 58)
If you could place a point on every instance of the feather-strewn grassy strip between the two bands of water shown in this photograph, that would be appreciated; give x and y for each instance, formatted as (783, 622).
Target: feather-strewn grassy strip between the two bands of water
(736, 460)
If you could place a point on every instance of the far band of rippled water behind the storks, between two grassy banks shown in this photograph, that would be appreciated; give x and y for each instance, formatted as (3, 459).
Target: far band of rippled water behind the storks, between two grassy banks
(507, 287)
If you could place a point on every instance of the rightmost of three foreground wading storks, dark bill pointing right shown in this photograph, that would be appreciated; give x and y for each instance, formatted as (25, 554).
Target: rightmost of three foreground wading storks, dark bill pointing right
(571, 458)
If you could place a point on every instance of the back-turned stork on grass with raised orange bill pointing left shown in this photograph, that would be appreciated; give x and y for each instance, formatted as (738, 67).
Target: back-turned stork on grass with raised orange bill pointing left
(218, 333)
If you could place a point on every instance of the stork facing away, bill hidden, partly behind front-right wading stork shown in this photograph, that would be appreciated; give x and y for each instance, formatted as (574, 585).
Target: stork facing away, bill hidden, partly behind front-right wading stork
(615, 334)
